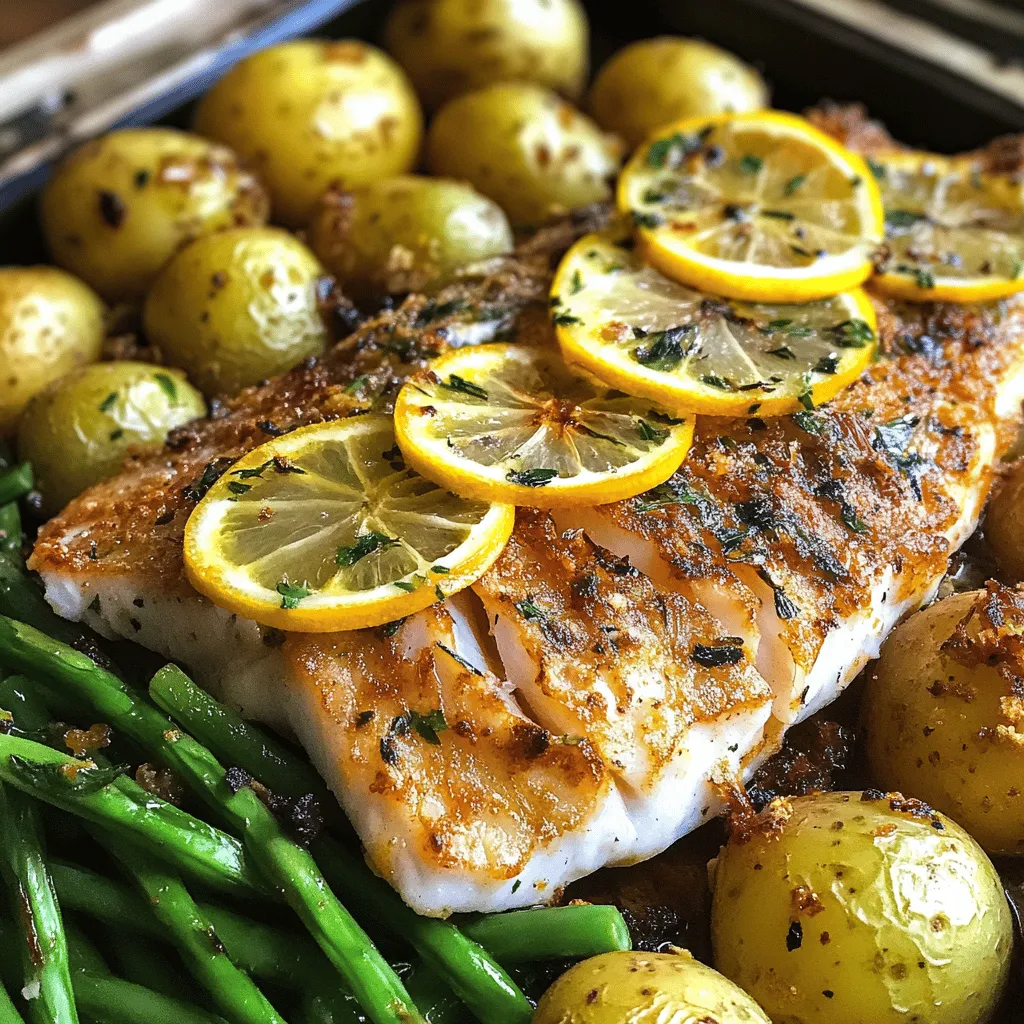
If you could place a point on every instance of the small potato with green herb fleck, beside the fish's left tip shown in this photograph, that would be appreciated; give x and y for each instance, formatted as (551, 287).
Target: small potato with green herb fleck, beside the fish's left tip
(75, 434)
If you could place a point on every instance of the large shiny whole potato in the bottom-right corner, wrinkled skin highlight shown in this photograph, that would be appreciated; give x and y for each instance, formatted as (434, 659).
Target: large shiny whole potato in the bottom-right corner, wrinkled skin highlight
(839, 911)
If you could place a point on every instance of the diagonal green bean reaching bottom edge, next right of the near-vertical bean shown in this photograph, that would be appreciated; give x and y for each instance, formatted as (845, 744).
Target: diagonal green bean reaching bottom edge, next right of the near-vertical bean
(193, 935)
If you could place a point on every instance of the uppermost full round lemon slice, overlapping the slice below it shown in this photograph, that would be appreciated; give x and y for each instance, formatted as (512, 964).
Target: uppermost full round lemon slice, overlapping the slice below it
(757, 206)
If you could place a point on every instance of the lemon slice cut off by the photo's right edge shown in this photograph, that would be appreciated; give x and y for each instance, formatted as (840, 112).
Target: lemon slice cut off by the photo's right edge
(954, 234)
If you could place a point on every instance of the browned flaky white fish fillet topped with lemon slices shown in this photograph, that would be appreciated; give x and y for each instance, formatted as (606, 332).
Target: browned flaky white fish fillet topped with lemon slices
(619, 667)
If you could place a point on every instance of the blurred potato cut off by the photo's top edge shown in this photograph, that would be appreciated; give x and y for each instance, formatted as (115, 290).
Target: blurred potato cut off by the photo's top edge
(454, 47)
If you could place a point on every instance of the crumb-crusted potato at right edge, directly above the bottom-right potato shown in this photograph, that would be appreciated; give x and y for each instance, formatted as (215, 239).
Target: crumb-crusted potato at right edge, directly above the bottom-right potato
(937, 730)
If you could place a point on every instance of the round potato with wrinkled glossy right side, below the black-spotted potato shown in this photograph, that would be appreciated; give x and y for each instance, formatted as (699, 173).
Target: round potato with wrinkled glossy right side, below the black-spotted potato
(238, 307)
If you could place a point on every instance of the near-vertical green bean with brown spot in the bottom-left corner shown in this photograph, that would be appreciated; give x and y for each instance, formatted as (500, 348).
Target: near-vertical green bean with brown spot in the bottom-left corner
(46, 947)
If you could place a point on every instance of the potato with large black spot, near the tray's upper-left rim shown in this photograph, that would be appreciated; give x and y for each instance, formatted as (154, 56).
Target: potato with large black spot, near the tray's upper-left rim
(119, 208)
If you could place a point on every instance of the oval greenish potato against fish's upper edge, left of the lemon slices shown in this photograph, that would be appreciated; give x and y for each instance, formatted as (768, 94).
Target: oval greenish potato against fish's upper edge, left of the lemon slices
(406, 234)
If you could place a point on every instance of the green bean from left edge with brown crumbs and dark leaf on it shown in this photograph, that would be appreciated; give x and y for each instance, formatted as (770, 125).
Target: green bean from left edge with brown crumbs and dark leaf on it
(185, 842)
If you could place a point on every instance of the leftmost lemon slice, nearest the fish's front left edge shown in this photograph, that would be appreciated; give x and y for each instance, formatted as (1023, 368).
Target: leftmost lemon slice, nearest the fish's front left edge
(326, 529)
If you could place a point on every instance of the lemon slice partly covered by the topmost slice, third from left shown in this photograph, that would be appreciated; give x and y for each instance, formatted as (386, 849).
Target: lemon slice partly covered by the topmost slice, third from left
(637, 330)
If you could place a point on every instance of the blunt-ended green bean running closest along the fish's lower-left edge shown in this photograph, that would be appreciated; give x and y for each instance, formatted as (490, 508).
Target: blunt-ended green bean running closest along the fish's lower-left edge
(466, 967)
